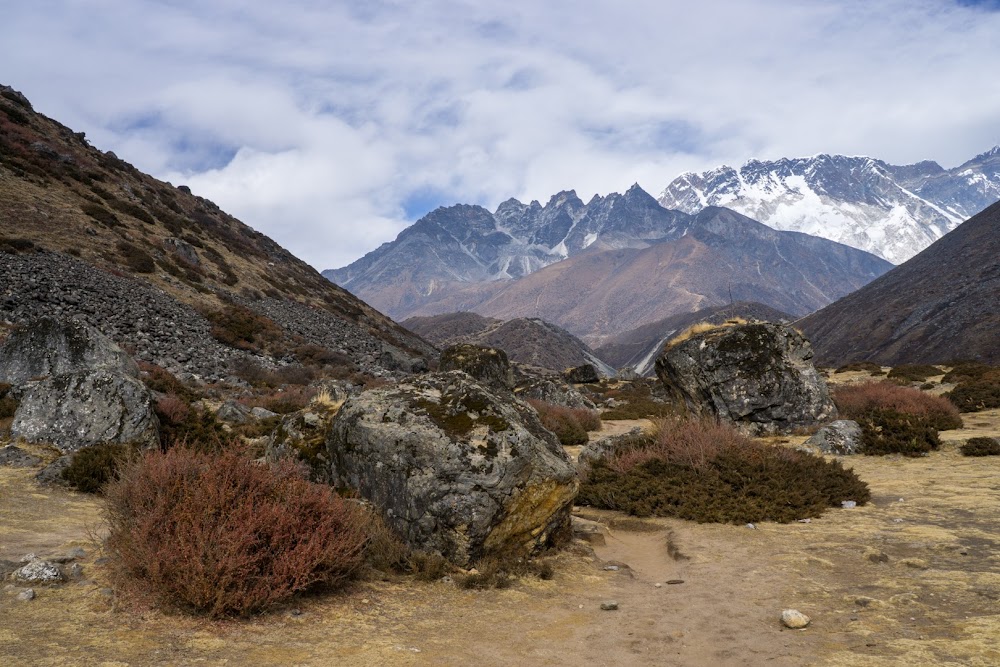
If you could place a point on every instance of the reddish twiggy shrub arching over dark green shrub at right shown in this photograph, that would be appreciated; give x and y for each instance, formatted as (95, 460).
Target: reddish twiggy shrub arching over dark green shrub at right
(856, 400)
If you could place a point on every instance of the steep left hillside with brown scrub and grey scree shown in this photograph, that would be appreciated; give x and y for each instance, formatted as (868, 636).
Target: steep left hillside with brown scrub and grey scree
(83, 232)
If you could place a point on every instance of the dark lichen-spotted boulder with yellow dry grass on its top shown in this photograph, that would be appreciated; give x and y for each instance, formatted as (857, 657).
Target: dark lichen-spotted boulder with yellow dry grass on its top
(758, 376)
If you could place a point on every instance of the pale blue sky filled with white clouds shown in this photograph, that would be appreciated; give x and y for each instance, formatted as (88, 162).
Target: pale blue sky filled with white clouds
(331, 126)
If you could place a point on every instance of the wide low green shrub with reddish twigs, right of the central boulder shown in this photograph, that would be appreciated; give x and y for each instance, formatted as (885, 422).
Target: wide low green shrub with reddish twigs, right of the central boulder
(707, 472)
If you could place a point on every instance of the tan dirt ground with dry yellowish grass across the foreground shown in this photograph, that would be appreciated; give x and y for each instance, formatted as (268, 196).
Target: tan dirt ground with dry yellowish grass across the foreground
(913, 578)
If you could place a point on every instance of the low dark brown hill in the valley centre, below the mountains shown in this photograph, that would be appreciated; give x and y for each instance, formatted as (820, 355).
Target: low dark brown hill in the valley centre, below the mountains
(525, 340)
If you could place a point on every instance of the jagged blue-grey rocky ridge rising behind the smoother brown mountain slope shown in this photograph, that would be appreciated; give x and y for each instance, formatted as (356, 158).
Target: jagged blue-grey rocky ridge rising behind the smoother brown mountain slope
(454, 247)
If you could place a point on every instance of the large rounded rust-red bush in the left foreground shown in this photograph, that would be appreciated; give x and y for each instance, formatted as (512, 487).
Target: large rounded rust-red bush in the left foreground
(224, 535)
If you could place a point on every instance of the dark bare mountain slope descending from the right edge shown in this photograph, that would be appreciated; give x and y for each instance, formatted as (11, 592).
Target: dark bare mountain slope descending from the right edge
(941, 305)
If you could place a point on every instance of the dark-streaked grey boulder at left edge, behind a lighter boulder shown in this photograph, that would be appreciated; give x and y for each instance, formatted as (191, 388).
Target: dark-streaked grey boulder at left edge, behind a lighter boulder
(47, 346)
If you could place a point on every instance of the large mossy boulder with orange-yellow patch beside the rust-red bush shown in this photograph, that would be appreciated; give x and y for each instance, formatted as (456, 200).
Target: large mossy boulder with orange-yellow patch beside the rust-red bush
(456, 468)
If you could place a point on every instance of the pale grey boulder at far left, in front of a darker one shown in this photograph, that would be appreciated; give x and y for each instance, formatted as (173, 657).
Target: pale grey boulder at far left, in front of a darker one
(76, 410)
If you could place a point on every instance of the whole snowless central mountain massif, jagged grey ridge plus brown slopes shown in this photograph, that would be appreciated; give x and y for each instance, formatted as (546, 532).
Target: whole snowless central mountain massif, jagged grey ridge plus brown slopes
(601, 268)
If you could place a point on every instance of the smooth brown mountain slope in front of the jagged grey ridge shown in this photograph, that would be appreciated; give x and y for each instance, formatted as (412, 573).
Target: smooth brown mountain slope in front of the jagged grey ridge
(724, 257)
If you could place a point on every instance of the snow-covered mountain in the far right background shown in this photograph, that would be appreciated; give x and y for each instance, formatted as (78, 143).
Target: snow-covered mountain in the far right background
(888, 210)
